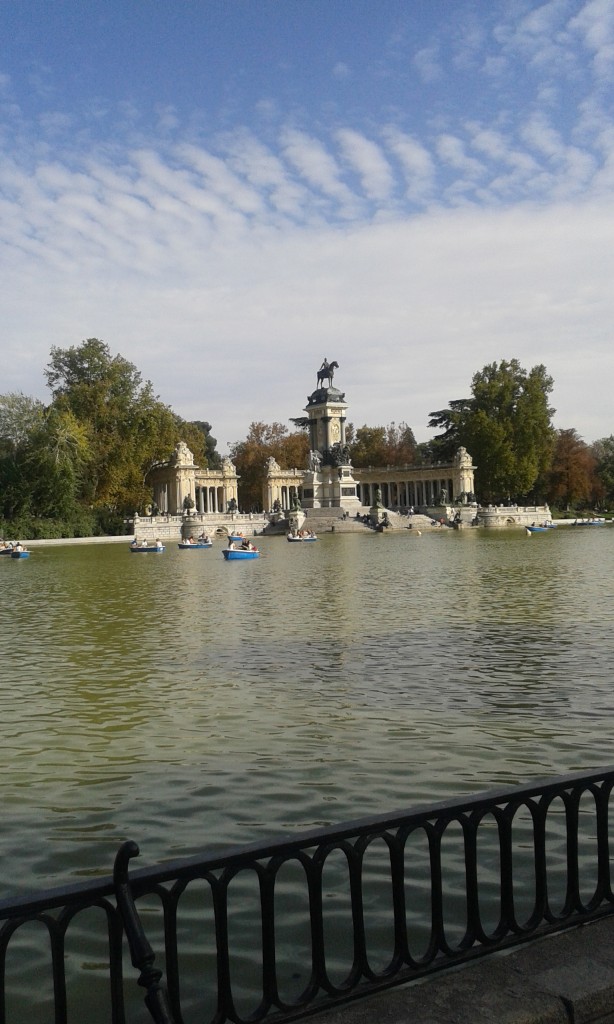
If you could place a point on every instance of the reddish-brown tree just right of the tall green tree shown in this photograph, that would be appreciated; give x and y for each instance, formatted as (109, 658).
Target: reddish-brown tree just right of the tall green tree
(573, 476)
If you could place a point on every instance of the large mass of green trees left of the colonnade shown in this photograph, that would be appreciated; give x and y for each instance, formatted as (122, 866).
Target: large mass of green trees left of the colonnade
(90, 452)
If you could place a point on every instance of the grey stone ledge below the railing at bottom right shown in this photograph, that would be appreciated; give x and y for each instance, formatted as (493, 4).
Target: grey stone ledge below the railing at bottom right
(564, 979)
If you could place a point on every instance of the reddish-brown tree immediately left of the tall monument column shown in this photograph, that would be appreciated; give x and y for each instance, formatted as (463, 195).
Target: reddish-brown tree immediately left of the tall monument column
(264, 442)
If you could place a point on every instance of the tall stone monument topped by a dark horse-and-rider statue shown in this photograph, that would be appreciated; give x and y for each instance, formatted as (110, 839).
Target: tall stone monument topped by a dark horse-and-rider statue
(329, 480)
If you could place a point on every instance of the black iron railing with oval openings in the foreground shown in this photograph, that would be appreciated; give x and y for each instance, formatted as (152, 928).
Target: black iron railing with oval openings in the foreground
(279, 930)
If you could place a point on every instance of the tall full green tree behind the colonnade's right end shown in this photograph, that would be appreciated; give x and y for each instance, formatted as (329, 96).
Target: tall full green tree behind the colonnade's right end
(506, 426)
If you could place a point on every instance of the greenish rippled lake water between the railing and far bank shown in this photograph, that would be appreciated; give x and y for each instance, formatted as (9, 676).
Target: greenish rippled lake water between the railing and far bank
(186, 702)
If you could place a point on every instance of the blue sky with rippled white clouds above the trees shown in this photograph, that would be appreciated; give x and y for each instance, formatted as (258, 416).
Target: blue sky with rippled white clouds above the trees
(228, 192)
